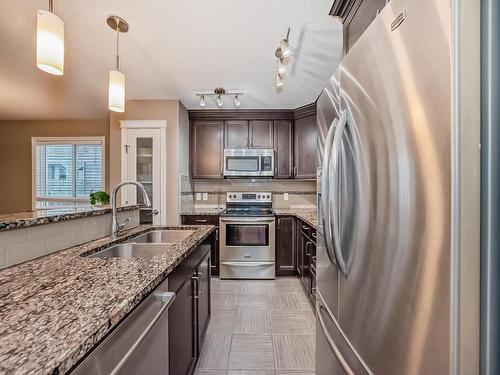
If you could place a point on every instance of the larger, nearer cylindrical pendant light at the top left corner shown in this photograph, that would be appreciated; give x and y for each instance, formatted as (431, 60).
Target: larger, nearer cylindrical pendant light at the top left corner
(49, 41)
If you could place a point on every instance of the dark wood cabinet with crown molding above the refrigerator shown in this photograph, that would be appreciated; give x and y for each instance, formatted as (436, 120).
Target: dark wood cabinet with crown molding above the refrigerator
(356, 15)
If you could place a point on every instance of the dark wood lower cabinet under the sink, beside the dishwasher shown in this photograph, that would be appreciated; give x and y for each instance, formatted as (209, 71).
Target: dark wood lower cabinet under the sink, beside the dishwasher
(189, 314)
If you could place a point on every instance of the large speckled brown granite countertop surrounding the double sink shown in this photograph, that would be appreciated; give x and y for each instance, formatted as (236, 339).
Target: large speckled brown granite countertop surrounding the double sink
(54, 309)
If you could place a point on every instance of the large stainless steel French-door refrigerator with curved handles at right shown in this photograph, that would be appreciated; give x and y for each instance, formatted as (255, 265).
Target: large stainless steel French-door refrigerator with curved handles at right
(384, 198)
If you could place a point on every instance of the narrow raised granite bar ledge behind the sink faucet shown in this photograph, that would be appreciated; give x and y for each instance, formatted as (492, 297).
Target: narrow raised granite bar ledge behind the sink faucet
(37, 217)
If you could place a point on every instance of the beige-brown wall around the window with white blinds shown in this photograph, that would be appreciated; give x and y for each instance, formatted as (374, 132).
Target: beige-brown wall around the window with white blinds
(15, 154)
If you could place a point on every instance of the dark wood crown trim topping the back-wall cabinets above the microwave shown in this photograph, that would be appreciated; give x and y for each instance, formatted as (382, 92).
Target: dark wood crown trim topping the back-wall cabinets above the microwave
(241, 114)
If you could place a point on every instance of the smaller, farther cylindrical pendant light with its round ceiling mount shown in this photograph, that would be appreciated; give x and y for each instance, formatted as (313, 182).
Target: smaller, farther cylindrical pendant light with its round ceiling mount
(116, 78)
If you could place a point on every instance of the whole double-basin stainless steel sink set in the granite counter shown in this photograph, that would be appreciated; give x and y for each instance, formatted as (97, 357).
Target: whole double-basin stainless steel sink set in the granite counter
(146, 245)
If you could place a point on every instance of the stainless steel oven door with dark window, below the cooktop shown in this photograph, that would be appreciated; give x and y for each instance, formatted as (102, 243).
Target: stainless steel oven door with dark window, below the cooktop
(247, 239)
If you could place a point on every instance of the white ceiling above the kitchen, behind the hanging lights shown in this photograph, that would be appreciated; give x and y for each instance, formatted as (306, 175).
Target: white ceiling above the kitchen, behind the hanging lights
(173, 49)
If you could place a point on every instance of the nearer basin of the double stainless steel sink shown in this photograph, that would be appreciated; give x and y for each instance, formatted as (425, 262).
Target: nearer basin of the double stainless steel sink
(132, 250)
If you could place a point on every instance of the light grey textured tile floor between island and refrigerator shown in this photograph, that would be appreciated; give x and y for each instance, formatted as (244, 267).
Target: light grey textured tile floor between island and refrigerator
(259, 328)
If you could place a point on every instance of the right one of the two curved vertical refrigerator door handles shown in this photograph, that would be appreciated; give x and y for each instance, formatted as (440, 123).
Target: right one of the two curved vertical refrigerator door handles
(337, 142)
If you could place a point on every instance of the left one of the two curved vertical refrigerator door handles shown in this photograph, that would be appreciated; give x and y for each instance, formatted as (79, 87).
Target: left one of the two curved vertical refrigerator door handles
(325, 191)
